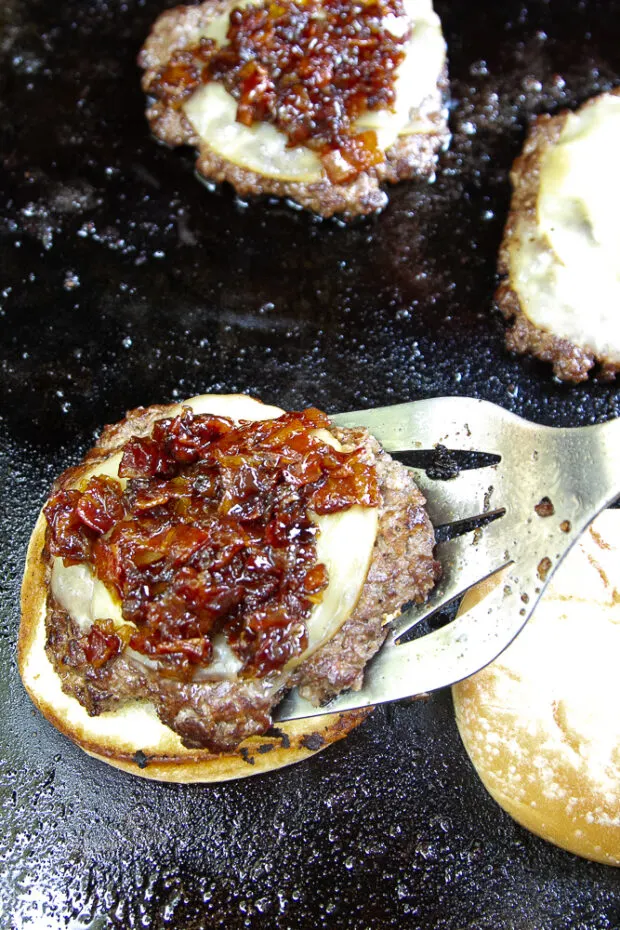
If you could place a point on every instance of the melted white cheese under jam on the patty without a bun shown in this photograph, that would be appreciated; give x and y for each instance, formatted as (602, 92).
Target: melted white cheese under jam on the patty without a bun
(262, 148)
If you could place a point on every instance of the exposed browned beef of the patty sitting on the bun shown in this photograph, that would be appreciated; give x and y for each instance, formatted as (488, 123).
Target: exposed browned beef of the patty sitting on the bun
(219, 715)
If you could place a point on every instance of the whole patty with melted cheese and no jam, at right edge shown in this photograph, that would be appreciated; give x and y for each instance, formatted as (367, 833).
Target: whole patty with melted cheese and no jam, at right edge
(561, 249)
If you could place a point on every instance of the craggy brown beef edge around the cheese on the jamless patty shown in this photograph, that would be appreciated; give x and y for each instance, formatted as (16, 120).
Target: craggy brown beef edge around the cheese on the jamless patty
(571, 358)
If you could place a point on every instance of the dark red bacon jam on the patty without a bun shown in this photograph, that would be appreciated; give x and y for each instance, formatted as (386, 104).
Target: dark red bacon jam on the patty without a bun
(309, 67)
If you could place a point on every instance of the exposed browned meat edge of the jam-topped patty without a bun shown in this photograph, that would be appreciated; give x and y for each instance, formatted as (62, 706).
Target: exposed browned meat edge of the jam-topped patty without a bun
(410, 155)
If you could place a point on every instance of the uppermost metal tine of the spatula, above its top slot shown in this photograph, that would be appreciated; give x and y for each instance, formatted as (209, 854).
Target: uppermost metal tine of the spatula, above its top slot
(456, 422)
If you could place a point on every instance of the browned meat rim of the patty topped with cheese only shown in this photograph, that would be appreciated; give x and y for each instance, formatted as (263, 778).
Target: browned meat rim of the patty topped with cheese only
(570, 362)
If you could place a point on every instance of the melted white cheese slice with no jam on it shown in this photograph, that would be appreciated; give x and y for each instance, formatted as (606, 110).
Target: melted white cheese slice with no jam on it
(567, 275)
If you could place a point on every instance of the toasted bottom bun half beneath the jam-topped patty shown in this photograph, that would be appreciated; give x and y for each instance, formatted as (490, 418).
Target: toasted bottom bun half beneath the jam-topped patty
(133, 738)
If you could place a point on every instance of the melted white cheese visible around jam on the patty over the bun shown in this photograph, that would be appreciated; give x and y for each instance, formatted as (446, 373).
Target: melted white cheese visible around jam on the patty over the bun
(345, 545)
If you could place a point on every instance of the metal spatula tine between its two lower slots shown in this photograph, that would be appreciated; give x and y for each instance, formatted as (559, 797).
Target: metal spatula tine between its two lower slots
(465, 561)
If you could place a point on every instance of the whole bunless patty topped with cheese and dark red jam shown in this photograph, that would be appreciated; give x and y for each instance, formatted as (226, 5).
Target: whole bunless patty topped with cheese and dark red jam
(318, 101)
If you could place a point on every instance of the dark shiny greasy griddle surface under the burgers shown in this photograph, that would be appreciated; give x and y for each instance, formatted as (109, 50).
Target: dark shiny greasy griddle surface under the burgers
(123, 281)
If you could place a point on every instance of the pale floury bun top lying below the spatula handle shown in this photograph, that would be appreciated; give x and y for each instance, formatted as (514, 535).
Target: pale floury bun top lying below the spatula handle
(542, 723)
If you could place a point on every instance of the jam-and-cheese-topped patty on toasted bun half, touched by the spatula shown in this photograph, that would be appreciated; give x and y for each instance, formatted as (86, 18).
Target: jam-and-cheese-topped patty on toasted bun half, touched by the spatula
(206, 557)
